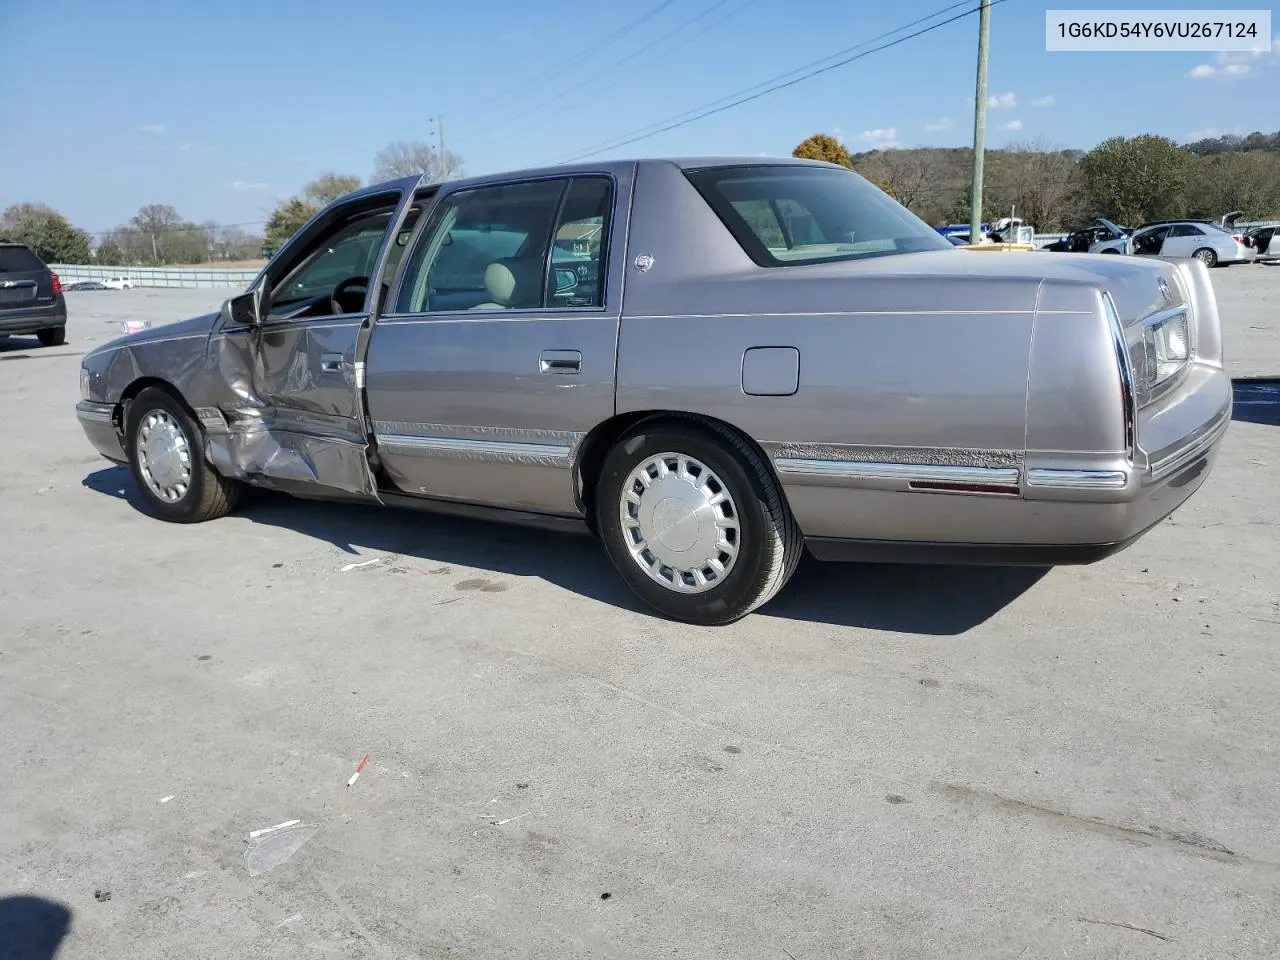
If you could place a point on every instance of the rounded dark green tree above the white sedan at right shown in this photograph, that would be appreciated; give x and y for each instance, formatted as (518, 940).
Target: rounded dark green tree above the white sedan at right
(1136, 180)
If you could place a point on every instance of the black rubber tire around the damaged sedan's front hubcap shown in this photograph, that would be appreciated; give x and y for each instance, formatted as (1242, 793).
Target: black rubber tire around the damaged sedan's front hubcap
(209, 495)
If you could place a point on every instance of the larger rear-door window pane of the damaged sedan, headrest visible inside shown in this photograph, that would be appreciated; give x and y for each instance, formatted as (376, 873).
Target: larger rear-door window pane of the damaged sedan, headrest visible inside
(486, 249)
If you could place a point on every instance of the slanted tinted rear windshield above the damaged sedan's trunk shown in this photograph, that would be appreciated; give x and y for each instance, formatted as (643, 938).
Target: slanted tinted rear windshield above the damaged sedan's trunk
(792, 214)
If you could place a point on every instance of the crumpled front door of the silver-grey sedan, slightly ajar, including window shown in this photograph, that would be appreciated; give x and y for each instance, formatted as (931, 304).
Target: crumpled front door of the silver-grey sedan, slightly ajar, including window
(300, 418)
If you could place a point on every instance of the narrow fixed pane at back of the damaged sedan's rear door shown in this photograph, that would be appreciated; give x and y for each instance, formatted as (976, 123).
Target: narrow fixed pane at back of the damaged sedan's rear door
(579, 253)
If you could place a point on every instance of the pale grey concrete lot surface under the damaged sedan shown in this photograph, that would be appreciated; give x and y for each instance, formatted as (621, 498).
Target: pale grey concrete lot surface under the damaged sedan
(886, 762)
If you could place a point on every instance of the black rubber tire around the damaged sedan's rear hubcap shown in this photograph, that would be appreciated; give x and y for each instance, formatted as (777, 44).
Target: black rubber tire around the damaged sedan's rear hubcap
(770, 542)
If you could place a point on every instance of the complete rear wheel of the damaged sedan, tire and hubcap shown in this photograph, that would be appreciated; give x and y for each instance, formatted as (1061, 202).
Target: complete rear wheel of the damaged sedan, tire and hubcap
(694, 522)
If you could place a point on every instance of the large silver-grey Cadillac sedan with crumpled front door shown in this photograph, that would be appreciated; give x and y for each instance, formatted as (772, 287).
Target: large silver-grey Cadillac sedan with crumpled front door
(712, 364)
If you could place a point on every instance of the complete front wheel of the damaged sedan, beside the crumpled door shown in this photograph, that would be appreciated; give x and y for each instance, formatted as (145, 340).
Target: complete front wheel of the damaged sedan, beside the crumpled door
(167, 458)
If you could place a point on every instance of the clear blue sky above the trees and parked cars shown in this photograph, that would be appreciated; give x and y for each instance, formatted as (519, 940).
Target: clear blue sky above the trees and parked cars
(223, 109)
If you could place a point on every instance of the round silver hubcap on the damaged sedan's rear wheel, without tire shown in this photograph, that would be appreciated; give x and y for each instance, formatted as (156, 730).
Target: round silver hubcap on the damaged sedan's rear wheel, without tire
(680, 523)
